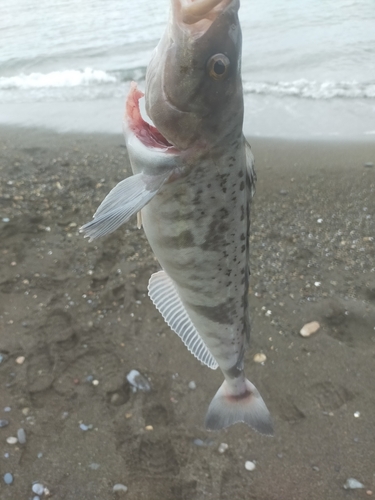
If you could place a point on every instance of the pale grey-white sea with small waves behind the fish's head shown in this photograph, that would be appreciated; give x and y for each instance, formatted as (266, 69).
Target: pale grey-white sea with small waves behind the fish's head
(308, 67)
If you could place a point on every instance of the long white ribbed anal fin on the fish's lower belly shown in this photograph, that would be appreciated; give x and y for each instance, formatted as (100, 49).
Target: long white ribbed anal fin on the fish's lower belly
(164, 295)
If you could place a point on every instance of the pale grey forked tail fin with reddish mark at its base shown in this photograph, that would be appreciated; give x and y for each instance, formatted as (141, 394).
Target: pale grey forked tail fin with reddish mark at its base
(226, 409)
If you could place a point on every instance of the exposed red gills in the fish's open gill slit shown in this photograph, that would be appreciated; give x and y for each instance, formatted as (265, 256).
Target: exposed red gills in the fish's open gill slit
(144, 131)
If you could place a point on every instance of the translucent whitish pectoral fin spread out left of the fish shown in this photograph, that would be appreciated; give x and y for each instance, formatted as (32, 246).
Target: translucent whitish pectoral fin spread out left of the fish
(125, 199)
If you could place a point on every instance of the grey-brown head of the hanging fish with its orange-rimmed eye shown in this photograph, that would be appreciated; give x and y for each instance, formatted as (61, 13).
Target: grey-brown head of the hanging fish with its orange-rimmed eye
(193, 83)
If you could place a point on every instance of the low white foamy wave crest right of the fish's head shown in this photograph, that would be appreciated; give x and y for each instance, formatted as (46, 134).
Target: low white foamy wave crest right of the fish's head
(313, 89)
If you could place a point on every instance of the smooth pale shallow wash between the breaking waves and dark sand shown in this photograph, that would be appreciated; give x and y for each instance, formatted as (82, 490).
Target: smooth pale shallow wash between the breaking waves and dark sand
(265, 116)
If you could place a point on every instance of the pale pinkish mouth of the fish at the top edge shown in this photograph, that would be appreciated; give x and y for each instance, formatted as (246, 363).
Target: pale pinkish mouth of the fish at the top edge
(198, 15)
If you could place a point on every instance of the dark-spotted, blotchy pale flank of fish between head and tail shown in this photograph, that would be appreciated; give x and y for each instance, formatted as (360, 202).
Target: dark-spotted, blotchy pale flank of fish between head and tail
(203, 246)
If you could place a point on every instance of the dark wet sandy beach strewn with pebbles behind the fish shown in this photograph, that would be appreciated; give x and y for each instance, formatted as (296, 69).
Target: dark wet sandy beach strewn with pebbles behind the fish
(75, 319)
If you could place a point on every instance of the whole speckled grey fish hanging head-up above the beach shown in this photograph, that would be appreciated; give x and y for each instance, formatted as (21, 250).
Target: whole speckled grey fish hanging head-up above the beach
(192, 184)
